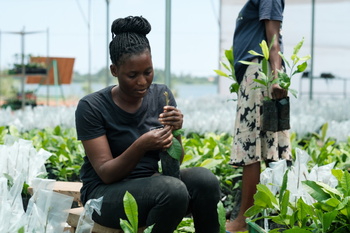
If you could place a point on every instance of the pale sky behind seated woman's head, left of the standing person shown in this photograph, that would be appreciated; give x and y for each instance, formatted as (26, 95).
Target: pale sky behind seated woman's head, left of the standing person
(194, 31)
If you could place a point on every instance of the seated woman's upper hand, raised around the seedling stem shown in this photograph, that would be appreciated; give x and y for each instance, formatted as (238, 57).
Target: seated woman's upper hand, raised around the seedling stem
(172, 117)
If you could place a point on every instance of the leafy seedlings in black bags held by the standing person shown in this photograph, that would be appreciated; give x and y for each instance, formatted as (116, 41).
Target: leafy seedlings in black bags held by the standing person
(276, 112)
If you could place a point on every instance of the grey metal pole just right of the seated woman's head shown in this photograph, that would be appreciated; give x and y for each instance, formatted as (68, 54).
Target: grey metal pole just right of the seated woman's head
(167, 43)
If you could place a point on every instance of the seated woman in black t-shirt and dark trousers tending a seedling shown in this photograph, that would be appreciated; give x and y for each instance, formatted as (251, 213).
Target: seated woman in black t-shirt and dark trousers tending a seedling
(122, 151)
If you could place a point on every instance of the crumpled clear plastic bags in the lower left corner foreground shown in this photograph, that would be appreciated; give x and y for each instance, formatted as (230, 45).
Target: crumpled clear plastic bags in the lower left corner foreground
(47, 210)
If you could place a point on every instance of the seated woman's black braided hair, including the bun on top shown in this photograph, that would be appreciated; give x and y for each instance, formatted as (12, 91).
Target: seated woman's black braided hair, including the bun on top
(128, 38)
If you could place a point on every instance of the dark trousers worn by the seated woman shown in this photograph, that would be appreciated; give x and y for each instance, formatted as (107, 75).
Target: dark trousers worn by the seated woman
(164, 201)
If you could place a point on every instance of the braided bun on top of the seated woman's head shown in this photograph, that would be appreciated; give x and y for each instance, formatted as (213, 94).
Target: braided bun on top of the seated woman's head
(131, 24)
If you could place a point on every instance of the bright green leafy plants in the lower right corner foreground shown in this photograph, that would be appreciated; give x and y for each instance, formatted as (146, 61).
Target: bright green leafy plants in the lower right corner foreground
(330, 212)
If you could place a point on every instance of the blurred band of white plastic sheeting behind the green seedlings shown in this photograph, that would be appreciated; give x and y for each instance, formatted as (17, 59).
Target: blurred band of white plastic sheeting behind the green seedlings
(206, 114)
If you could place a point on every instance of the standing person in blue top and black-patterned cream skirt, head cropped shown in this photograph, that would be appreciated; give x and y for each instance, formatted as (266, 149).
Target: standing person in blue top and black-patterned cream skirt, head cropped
(258, 20)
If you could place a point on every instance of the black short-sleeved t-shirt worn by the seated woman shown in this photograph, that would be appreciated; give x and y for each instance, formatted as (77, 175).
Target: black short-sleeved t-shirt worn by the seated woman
(98, 115)
